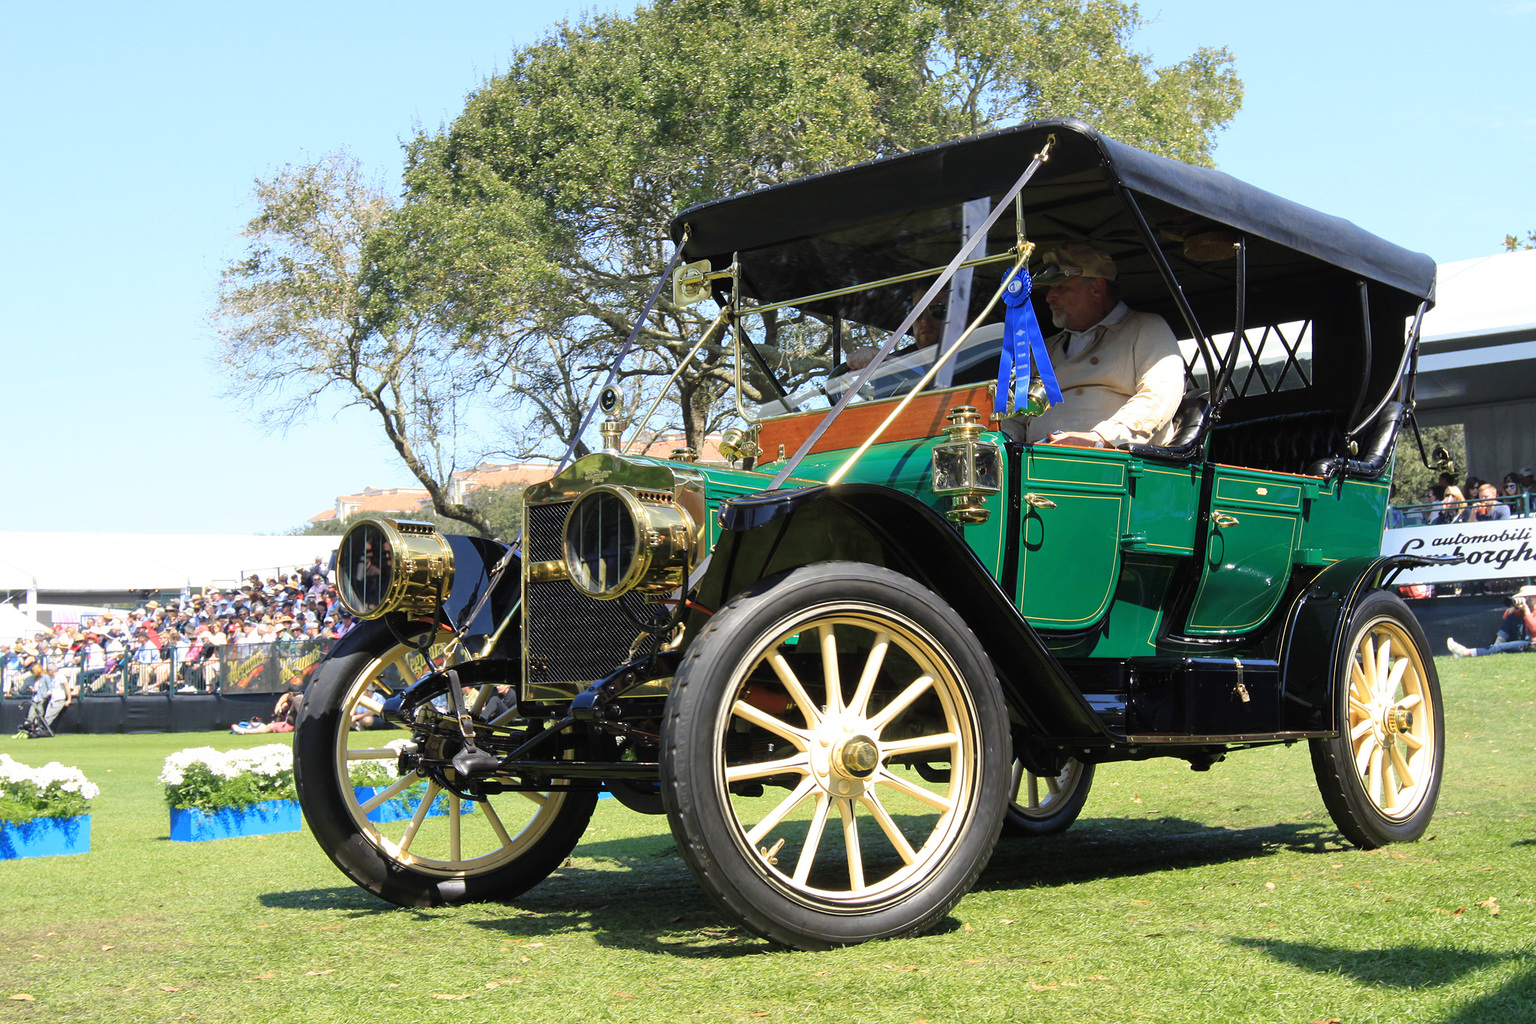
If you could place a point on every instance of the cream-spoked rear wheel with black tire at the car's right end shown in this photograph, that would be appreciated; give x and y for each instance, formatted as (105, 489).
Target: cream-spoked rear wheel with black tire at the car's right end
(1394, 704)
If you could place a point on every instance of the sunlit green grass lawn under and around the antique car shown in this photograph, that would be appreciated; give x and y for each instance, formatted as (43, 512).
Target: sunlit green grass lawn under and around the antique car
(1223, 896)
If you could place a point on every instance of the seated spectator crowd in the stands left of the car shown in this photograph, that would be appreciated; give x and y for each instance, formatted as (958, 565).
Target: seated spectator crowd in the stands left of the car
(180, 646)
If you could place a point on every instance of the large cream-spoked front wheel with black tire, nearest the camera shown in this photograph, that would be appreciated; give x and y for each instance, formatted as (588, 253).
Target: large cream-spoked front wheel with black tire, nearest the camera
(856, 604)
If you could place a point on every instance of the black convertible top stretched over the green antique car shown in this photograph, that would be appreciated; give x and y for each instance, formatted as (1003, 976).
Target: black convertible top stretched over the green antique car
(1085, 191)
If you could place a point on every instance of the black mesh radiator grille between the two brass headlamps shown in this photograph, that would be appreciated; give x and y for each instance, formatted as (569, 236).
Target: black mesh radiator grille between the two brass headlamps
(572, 638)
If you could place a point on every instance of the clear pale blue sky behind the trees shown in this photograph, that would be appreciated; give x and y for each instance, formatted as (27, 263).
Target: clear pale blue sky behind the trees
(134, 133)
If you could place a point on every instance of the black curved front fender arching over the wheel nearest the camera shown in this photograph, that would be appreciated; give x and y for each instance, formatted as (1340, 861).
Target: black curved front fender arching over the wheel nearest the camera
(866, 523)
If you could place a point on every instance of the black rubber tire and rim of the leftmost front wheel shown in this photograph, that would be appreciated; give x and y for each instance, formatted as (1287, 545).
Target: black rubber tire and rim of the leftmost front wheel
(363, 850)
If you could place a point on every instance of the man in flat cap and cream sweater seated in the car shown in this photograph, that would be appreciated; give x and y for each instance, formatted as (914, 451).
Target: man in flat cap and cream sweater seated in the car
(1121, 372)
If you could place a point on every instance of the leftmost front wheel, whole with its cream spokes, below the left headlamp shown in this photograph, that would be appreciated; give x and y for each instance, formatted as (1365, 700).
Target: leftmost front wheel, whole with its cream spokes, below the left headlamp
(411, 842)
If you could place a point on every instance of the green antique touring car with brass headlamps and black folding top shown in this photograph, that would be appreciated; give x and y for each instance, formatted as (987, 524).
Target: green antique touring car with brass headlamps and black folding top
(892, 624)
